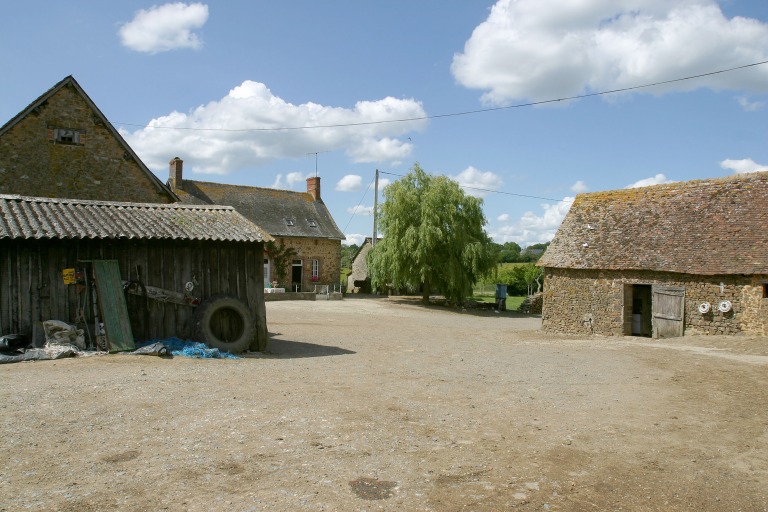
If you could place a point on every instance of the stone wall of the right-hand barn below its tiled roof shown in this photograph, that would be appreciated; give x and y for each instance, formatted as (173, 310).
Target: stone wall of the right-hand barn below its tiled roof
(587, 302)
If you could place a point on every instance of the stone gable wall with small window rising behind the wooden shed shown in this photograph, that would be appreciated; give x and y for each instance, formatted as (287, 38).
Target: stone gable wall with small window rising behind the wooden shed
(96, 168)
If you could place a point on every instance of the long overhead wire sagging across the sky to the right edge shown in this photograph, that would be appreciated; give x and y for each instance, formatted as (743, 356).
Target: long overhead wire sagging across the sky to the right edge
(456, 114)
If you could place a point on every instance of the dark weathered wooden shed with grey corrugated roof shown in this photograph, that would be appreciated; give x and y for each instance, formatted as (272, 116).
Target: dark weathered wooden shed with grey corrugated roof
(186, 271)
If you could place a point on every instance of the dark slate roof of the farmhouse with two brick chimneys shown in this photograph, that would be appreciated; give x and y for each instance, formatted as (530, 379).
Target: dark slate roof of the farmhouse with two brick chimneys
(282, 213)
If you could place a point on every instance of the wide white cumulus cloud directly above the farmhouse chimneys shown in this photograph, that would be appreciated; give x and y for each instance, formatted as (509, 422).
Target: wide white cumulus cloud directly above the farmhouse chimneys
(246, 129)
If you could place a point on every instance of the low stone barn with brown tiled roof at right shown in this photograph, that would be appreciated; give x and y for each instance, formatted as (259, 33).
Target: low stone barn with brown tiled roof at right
(662, 261)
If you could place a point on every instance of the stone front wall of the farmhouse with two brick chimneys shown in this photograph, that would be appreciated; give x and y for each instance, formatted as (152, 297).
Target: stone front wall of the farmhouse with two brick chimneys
(326, 252)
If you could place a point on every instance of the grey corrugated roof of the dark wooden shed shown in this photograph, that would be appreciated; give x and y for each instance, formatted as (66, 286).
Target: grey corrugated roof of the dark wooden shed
(46, 218)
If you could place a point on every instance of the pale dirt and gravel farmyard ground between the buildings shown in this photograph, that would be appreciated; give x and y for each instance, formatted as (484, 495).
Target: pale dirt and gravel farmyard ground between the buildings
(367, 404)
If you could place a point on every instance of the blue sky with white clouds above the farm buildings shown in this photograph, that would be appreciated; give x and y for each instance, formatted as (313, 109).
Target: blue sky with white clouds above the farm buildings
(254, 93)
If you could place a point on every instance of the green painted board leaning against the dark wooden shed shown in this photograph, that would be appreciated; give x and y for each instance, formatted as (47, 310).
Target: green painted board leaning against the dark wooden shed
(114, 311)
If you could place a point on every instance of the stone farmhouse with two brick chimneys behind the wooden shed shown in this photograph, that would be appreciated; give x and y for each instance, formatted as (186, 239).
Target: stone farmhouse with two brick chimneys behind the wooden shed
(299, 220)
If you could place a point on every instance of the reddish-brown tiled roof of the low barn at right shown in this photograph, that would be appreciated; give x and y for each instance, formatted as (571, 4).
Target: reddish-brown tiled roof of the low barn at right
(704, 227)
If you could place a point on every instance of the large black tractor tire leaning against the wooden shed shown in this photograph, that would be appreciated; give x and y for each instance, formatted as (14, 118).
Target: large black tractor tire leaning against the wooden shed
(225, 323)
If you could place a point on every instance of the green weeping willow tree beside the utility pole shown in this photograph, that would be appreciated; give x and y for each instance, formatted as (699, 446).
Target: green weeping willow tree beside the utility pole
(433, 238)
